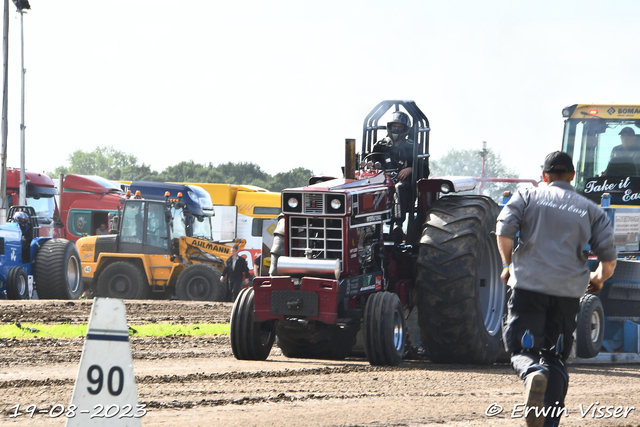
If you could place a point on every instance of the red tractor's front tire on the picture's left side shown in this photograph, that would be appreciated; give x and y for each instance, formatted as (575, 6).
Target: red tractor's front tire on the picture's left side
(250, 340)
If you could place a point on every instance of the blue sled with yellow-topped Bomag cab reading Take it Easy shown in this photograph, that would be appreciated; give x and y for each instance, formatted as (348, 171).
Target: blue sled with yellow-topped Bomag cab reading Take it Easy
(604, 142)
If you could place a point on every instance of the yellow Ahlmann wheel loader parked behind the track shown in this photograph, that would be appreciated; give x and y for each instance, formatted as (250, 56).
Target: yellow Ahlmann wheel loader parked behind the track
(151, 250)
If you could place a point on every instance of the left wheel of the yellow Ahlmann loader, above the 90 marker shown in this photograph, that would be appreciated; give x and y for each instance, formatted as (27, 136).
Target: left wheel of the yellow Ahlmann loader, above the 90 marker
(123, 280)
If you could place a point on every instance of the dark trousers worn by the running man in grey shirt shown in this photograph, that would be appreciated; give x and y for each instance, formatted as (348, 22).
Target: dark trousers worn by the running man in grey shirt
(539, 334)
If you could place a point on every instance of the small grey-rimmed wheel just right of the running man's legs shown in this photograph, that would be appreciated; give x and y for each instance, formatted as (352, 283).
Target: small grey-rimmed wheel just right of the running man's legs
(590, 330)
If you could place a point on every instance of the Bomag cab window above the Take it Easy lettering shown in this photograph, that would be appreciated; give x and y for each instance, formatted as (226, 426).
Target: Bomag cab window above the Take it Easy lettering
(602, 148)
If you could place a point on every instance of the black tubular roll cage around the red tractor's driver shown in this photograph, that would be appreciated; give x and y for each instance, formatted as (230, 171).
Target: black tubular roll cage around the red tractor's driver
(419, 134)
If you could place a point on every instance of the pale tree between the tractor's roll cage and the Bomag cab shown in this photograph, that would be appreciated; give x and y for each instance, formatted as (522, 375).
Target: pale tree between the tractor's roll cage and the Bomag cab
(469, 163)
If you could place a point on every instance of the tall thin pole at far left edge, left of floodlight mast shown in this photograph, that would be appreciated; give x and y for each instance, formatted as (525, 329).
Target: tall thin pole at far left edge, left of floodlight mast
(4, 131)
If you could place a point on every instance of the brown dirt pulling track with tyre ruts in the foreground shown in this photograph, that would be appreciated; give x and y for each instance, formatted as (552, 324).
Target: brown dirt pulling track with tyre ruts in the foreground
(197, 381)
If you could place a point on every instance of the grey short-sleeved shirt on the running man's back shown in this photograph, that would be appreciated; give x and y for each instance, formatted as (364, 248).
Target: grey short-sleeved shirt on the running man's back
(555, 225)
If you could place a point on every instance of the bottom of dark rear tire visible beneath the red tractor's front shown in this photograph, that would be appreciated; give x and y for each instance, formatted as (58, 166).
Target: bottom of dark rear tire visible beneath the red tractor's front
(315, 340)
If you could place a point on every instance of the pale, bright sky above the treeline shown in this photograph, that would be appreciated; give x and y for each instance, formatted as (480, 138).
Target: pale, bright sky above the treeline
(283, 83)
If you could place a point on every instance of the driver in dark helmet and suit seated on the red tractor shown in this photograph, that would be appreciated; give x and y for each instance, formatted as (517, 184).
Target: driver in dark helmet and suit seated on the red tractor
(398, 152)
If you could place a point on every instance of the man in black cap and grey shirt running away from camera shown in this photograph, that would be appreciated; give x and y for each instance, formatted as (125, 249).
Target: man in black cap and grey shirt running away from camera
(548, 274)
